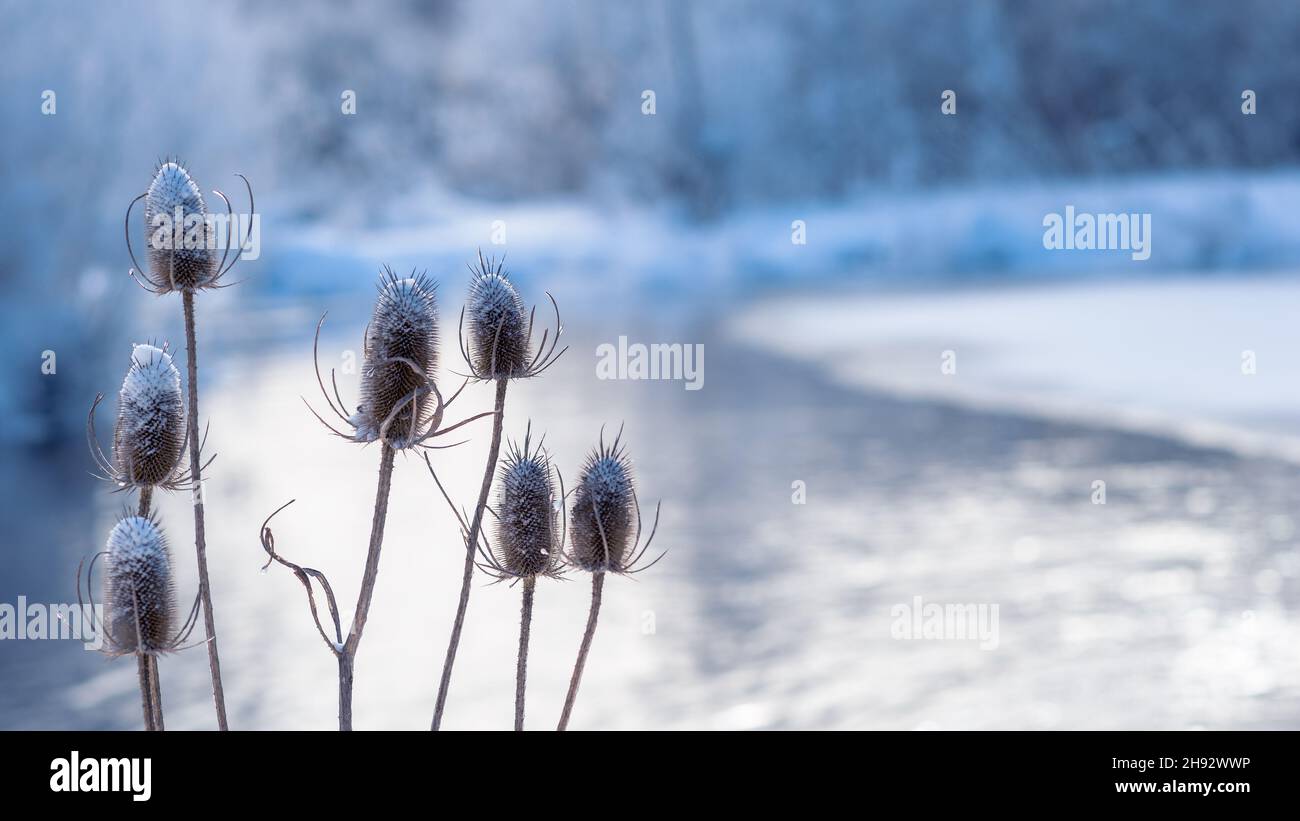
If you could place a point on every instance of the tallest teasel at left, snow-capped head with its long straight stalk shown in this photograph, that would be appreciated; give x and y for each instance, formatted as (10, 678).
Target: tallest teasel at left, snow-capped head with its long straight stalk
(183, 258)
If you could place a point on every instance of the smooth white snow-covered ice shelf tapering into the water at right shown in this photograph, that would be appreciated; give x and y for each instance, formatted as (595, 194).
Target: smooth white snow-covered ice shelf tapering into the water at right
(1216, 362)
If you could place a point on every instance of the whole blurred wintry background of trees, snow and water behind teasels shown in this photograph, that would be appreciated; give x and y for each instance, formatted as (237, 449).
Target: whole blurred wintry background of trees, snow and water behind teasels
(918, 399)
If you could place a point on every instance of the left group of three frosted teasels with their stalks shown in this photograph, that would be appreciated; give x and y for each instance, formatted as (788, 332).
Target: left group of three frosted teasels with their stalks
(155, 427)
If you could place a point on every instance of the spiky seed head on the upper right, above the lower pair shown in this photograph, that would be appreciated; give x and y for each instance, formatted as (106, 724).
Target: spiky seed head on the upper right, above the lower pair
(499, 324)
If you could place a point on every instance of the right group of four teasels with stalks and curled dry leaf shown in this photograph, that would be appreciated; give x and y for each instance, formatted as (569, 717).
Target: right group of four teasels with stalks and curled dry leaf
(402, 409)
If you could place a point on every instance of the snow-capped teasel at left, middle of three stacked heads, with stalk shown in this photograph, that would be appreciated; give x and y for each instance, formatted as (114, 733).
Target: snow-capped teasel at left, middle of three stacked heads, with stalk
(149, 448)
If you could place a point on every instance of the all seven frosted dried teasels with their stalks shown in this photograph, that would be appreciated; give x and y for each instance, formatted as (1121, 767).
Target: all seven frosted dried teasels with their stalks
(402, 410)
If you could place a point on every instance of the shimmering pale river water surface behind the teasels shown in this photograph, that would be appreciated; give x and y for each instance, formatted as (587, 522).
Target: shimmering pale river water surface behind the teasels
(1171, 606)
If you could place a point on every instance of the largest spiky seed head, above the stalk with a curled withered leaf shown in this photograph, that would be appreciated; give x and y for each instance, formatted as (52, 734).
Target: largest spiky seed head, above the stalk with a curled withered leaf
(401, 359)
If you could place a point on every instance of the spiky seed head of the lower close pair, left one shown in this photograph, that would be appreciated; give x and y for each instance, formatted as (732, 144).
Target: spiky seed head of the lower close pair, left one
(527, 529)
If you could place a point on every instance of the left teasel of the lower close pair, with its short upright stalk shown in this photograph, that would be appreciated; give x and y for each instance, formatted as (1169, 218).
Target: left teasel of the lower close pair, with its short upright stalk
(530, 537)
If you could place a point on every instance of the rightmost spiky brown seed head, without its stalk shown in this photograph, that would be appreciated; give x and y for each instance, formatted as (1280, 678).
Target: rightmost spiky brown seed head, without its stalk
(604, 512)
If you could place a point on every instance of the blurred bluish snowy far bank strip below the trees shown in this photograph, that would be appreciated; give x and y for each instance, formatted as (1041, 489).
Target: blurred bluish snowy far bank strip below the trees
(1201, 223)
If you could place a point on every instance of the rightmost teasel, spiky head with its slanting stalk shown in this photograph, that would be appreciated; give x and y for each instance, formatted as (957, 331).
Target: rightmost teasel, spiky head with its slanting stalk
(606, 537)
